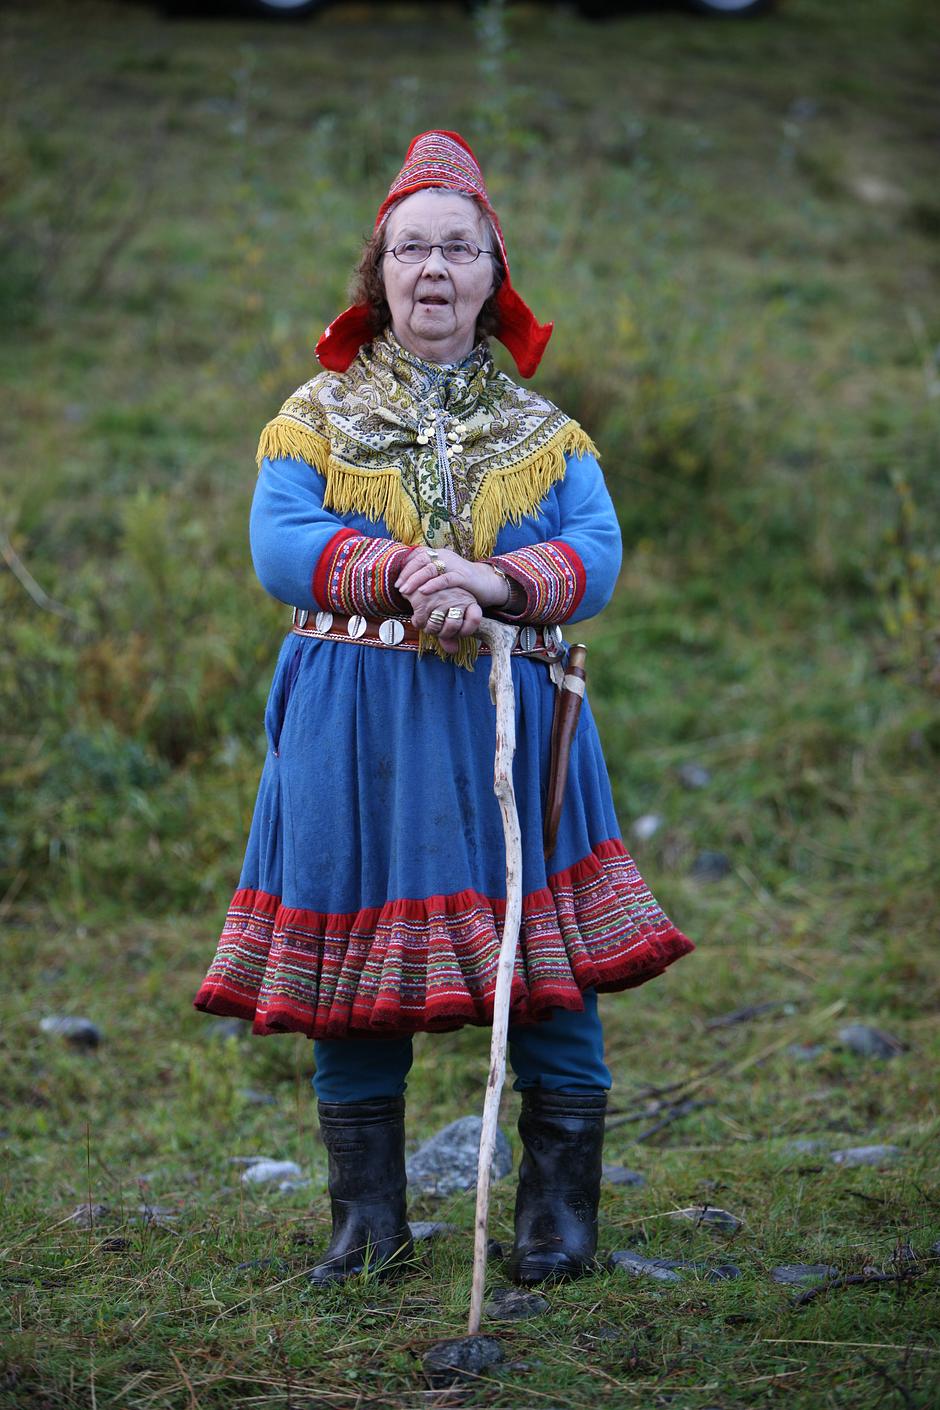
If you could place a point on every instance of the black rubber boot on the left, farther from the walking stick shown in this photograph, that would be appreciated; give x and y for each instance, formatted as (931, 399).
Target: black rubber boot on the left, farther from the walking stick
(366, 1143)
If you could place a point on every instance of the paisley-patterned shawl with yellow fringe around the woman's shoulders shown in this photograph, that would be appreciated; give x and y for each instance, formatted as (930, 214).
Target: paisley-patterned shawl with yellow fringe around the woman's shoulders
(443, 458)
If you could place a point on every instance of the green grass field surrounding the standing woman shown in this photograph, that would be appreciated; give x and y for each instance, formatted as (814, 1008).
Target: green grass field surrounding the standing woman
(736, 229)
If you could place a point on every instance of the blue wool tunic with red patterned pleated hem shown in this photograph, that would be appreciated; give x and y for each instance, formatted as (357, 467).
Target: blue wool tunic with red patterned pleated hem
(373, 892)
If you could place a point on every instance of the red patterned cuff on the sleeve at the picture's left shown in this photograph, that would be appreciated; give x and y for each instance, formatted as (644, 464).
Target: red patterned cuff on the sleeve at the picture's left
(357, 575)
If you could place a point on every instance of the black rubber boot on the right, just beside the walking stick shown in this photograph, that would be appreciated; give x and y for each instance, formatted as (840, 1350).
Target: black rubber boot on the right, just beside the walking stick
(559, 1185)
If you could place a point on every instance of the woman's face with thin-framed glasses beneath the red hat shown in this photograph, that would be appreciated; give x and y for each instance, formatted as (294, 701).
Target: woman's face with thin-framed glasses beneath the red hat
(435, 305)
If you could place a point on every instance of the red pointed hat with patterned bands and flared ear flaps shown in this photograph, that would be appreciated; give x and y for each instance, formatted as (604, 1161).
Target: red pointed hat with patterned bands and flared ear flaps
(443, 160)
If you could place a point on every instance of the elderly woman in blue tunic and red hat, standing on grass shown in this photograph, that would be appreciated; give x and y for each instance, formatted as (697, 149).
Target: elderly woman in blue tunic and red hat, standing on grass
(407, 491)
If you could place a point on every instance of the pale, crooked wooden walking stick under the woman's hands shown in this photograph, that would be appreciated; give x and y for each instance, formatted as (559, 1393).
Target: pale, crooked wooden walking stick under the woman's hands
(501, 639)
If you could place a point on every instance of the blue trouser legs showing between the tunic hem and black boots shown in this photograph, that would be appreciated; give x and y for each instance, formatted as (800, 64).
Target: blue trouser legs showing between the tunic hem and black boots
(563, 1054)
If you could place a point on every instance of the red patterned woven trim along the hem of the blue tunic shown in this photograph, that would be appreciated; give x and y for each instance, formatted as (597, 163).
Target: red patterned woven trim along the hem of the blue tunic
(431, 965)
